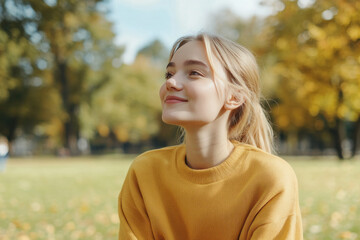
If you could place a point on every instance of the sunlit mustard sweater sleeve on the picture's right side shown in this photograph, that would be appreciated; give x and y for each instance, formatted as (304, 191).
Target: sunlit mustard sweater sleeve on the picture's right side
(279, 215)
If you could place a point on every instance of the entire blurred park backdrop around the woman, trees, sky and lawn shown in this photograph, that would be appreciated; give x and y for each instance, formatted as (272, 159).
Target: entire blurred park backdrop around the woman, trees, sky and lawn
(79, 85)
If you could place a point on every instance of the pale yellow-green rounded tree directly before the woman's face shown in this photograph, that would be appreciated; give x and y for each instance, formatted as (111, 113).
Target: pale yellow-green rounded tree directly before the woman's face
(128, 107)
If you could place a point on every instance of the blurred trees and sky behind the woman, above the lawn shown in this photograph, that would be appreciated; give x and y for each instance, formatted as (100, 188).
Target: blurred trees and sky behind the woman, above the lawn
(81, 77)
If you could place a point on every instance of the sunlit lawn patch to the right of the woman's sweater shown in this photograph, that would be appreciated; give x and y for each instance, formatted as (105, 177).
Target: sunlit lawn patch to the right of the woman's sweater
(329, 197)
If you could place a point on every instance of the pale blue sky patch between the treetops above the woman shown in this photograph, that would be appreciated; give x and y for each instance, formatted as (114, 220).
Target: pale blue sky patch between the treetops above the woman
(137, 22)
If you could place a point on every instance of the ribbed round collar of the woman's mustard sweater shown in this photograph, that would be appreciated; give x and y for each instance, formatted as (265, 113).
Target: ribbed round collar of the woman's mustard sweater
(213, 174)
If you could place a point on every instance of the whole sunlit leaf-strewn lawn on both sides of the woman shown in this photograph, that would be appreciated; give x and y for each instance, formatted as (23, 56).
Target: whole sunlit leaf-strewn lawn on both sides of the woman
(59, 198)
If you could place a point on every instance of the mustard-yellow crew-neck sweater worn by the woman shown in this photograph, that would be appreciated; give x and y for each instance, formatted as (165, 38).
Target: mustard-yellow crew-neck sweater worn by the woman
(251, 195)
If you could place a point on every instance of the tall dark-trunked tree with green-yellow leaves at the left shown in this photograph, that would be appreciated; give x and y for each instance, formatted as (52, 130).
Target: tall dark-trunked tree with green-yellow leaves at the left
(80, 40)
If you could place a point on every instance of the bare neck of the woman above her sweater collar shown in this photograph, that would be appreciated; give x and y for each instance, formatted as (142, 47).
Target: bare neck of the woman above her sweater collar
(206, 148)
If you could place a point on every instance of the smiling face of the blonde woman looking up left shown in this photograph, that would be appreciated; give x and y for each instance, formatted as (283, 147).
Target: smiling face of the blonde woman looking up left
(189, 96)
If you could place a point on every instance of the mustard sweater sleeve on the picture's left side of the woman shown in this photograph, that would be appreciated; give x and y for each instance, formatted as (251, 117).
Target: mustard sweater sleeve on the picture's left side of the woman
(134, 220)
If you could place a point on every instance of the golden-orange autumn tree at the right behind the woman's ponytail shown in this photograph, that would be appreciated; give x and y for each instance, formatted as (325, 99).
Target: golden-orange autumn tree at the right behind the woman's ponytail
(316, 49)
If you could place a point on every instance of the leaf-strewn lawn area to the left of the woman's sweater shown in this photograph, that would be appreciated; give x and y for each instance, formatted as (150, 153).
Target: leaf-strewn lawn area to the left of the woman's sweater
(58, 198)
